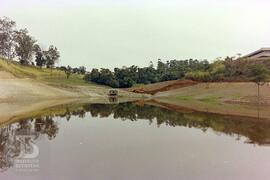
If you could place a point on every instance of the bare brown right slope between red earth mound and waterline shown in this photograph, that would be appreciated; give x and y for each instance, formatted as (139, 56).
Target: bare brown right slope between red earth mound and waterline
(225, 92)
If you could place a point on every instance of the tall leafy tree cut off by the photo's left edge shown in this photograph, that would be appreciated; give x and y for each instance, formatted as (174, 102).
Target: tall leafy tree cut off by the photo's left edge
(7, 31)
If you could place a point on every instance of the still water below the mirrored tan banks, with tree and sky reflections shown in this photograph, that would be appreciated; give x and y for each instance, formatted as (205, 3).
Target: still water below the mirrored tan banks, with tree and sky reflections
(134, 141)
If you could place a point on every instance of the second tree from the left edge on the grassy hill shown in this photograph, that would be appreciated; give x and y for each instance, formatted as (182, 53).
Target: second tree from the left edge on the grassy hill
(24, 46)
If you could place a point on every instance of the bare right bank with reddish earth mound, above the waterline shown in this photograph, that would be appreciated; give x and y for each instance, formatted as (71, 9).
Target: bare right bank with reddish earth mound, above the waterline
(214, 92)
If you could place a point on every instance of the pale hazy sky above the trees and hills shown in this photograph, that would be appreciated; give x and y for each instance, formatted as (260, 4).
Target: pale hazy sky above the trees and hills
(116, 33)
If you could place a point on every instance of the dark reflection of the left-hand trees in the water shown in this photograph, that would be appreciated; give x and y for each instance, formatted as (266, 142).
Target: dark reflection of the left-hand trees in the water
(13, 144)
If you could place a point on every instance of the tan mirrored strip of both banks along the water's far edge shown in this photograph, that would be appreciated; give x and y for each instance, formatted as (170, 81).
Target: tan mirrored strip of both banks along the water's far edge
(14, 111)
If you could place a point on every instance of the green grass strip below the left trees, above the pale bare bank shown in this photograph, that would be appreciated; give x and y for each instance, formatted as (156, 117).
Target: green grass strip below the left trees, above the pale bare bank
(53, 77)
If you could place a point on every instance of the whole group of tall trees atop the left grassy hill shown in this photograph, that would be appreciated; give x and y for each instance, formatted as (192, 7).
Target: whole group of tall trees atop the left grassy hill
(19, 44)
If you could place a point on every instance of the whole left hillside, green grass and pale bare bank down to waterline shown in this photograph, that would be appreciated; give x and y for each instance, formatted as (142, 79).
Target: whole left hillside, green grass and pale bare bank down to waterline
(29, 83)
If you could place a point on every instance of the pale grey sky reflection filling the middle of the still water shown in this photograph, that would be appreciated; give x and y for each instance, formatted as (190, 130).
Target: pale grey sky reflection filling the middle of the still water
(106, 148)
